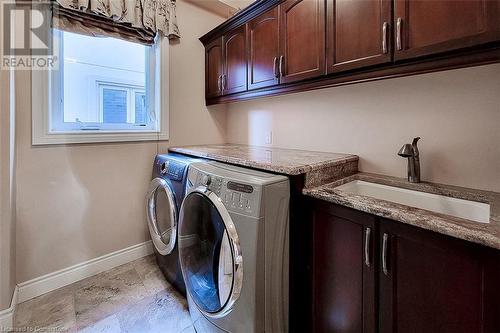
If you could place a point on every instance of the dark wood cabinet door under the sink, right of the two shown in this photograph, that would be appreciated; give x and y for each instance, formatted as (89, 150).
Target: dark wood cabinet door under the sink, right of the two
(428, 282)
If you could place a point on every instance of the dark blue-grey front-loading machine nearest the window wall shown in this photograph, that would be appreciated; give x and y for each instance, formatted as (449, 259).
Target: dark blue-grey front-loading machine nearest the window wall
(163, 201)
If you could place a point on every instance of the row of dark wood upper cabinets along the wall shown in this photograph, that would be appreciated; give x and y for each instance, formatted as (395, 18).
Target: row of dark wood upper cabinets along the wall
(275, 47)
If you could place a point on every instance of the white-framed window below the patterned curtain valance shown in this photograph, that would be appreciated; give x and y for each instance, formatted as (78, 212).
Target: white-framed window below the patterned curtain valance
(105, 89)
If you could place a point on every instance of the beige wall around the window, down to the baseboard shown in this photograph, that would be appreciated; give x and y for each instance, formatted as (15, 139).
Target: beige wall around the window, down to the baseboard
(78, 202)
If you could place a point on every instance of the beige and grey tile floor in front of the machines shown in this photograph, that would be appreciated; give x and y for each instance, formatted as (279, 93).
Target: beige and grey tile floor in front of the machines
(130, 298)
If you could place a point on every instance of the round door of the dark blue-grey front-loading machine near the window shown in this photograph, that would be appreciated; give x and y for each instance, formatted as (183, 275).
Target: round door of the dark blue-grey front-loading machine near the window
(162, 216)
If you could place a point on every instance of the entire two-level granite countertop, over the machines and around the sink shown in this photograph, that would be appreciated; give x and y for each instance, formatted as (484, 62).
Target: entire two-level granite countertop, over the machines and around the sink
(325, 171)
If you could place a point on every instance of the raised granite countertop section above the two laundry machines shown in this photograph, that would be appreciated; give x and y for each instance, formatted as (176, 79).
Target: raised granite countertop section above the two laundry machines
(279, 160)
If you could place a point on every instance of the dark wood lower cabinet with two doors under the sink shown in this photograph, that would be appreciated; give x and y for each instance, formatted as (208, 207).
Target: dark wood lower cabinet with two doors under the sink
(417, 281)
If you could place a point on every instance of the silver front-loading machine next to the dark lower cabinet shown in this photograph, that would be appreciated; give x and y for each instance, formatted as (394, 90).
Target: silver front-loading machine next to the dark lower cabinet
(233, 248)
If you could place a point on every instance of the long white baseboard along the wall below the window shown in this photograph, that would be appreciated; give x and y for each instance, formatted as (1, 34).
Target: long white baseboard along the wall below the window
(43, 284)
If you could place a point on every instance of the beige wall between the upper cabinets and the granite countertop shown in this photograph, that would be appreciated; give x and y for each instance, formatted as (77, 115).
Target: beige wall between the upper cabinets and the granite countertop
(457, 114)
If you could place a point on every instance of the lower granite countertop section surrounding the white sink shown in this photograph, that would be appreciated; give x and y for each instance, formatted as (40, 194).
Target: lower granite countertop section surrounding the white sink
(482, 233)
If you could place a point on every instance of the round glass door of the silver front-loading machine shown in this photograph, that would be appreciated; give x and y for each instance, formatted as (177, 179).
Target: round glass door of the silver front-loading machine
(209, 253)
